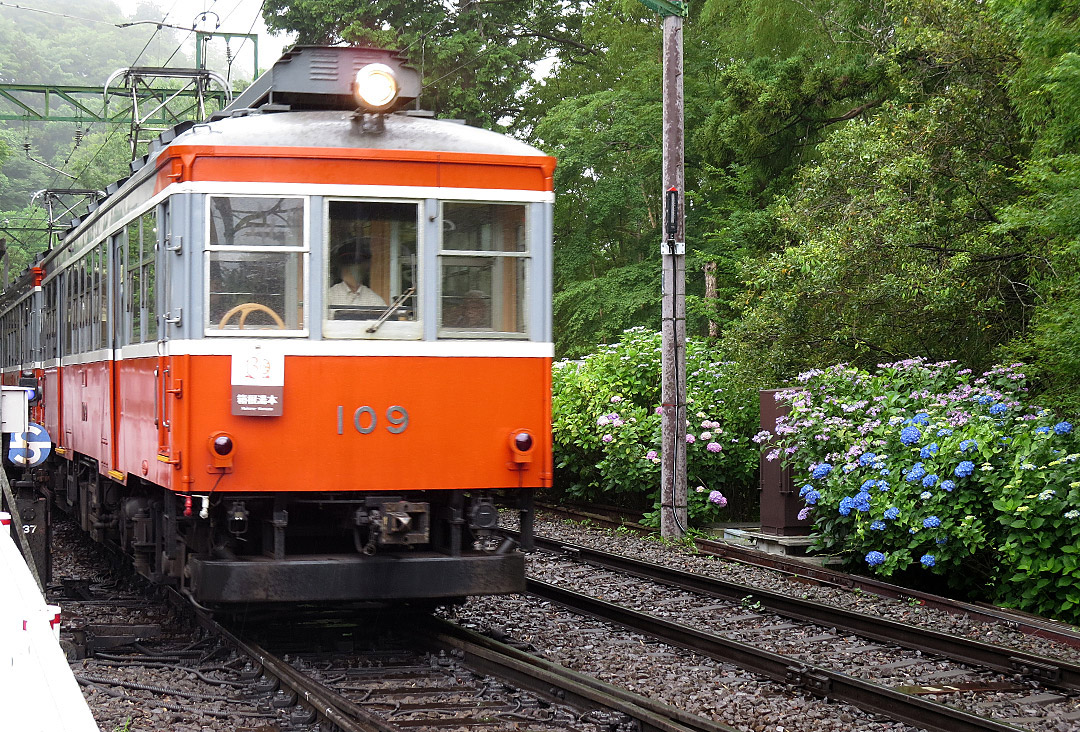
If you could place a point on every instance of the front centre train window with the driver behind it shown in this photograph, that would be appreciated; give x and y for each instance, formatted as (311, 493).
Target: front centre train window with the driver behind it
(372, 269)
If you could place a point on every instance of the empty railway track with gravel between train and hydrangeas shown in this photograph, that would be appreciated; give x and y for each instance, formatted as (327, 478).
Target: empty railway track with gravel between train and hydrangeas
(876, 665)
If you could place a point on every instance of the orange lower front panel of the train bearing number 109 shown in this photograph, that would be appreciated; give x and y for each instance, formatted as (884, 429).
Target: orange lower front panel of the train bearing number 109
(462, 415)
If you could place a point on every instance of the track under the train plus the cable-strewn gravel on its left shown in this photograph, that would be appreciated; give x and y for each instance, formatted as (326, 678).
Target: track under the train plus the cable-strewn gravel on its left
(147, 658)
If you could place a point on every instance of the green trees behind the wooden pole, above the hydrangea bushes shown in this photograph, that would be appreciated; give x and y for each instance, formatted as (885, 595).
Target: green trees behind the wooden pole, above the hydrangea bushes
(870, 182)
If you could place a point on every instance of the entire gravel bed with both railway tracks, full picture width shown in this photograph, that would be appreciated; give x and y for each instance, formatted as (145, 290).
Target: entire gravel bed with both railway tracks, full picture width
(746, 647)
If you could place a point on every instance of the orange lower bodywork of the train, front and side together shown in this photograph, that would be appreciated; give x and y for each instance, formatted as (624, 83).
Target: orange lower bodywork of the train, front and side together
(462, 415)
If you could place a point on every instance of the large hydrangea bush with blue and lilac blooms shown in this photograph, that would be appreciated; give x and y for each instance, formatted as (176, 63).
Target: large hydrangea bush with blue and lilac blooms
(927, 467)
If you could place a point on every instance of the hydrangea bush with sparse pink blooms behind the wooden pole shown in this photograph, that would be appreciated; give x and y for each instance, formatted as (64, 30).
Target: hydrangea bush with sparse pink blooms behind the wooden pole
(606, 423)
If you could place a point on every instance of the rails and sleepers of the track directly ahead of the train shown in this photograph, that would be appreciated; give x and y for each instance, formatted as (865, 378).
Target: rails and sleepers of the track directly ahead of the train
(436, 675)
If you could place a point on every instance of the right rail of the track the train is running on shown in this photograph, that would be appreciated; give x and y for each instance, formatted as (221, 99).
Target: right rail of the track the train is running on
(545, 677)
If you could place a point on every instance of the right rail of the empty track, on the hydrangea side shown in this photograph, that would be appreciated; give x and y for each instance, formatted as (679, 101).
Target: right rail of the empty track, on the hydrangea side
(1049, 672)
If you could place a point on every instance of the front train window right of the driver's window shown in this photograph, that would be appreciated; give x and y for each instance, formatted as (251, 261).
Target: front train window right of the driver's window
(484, 270)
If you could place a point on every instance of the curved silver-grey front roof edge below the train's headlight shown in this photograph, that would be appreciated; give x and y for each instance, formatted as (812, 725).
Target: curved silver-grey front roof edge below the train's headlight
(350, 130)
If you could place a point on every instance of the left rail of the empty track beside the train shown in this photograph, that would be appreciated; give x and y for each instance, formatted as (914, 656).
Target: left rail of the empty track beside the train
(815, 680)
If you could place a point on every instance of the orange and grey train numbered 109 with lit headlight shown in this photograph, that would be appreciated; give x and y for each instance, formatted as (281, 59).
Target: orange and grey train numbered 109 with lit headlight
(299, 353)
